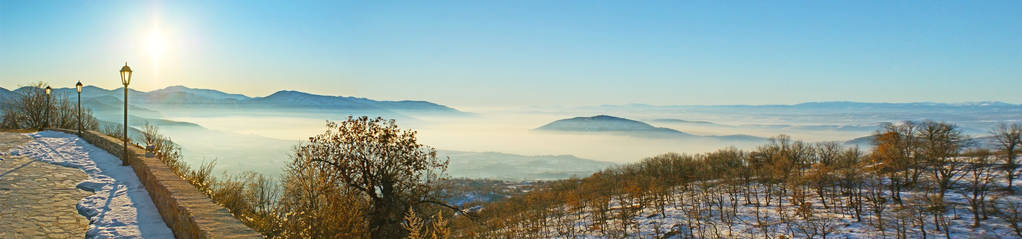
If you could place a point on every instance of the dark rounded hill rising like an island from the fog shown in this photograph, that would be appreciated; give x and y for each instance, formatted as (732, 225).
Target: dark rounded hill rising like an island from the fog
(611, 125)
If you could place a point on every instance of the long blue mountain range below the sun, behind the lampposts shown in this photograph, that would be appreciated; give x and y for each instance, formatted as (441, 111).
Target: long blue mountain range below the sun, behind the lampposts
(103, 100)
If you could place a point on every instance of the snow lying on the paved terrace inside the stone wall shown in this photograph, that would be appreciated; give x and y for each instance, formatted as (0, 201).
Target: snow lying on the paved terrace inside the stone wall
(121, 208)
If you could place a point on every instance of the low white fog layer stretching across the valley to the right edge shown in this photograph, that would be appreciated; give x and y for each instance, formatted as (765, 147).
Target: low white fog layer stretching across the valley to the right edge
(262, 139)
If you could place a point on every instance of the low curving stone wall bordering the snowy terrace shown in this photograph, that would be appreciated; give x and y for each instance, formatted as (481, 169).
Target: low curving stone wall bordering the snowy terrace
(187, 211)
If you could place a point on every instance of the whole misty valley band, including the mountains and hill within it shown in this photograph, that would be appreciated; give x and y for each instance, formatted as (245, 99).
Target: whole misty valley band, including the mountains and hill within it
(245, 133)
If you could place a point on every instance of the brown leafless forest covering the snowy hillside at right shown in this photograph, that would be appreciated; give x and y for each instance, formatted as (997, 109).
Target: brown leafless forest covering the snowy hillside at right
(920, 180)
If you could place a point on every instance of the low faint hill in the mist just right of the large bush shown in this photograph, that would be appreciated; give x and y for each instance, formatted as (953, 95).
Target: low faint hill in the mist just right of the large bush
(515, 167)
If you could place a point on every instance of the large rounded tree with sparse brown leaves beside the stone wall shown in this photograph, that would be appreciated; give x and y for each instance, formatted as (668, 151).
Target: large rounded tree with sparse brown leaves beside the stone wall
(381, 162)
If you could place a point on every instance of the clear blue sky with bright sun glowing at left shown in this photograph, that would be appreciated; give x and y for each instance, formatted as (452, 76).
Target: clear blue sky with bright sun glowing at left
(528, 54)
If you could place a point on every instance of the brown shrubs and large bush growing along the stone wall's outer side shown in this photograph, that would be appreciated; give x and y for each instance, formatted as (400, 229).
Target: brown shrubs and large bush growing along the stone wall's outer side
(318, 197)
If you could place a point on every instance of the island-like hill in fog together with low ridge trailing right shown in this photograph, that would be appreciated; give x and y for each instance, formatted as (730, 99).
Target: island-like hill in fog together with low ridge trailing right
(621, 126)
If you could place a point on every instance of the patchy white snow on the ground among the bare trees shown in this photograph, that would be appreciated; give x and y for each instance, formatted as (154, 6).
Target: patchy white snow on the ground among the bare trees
(677, 216)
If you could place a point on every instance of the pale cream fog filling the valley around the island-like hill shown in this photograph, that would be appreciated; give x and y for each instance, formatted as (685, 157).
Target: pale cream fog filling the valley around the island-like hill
(261, 140)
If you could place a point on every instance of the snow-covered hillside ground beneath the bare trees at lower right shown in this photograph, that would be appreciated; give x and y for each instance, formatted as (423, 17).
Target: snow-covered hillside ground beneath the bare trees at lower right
(711, 210)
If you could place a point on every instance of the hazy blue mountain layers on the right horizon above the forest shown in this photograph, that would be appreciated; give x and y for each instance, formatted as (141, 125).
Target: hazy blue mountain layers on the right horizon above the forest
(973, 118)
